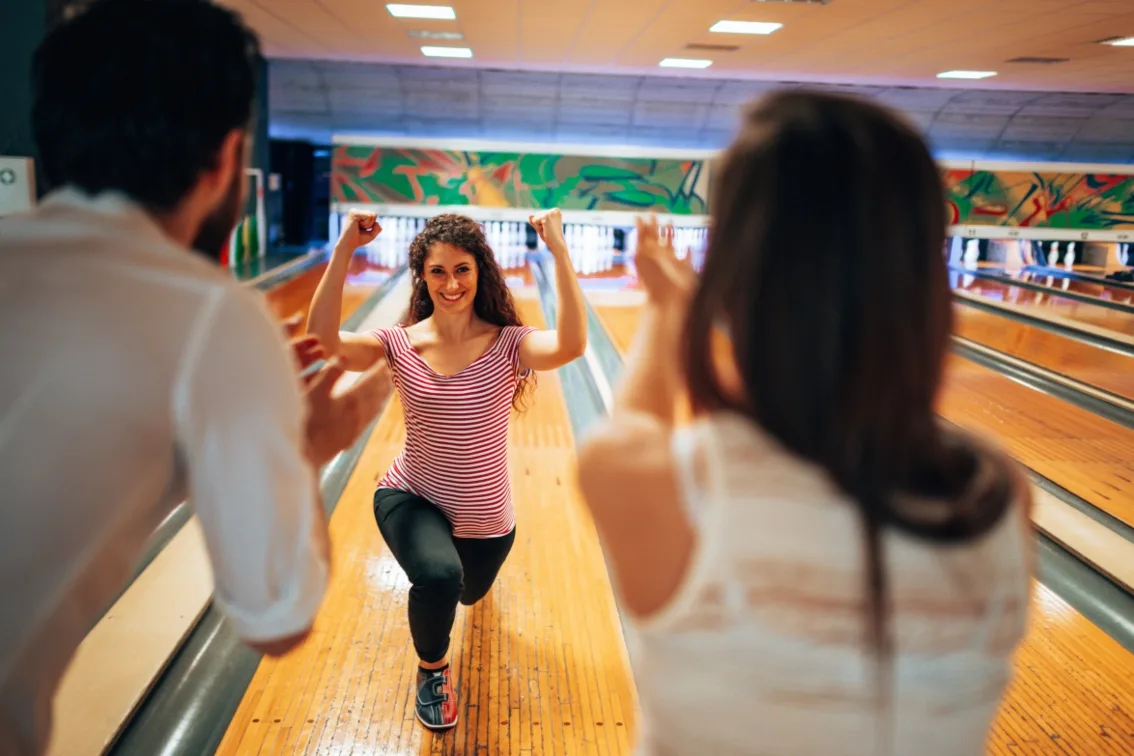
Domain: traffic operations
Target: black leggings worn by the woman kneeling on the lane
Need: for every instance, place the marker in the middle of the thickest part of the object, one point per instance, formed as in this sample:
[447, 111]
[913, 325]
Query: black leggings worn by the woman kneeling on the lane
[443, 570]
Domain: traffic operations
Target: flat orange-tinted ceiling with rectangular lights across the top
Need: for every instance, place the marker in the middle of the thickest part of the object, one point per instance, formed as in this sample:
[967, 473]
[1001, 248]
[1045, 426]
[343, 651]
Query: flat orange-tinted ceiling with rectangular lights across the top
[875, 43]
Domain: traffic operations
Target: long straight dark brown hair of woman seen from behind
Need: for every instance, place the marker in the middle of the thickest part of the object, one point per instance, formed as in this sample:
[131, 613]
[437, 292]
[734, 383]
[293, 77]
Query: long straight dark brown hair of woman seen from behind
[825, 268]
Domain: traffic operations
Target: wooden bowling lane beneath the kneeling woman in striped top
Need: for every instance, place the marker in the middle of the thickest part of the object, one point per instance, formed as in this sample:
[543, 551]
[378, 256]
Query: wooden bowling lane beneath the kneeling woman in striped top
[541, 666]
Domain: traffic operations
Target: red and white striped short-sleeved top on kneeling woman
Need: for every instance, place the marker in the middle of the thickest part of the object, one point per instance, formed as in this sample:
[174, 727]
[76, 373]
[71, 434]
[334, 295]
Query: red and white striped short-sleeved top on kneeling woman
[456, 453]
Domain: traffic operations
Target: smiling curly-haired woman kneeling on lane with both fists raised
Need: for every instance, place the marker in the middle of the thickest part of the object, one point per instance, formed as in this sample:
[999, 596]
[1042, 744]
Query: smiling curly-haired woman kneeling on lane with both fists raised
[462, 361]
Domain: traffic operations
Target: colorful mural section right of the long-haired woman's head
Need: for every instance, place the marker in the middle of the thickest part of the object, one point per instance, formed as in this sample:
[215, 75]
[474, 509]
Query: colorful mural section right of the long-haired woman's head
[1098, 202]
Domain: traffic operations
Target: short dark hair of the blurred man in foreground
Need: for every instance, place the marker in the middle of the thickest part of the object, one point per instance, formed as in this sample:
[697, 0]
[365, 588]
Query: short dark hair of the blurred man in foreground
[138, 96]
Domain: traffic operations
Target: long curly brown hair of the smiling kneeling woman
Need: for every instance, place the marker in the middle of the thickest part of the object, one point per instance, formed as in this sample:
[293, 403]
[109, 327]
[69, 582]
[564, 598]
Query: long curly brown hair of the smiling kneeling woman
[493, 304]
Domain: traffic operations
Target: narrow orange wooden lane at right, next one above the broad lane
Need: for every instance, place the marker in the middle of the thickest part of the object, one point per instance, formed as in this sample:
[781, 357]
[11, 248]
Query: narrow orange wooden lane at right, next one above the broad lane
[1111, 371]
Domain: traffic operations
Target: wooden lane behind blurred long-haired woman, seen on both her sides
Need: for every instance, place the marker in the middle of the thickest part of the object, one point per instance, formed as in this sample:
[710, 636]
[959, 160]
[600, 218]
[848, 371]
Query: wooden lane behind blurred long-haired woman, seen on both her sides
[1072, 692]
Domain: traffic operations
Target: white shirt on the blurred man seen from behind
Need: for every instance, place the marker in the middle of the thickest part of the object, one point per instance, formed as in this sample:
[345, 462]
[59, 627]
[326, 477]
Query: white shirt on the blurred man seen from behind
[136, 375]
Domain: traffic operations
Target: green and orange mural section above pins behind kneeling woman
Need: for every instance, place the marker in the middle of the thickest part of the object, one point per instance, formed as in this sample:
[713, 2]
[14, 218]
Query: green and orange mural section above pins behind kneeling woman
[509, 180]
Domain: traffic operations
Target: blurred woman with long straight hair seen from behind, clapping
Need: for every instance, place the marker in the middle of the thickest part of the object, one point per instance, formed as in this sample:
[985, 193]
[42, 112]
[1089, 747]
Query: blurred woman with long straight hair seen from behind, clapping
[818, 565]
